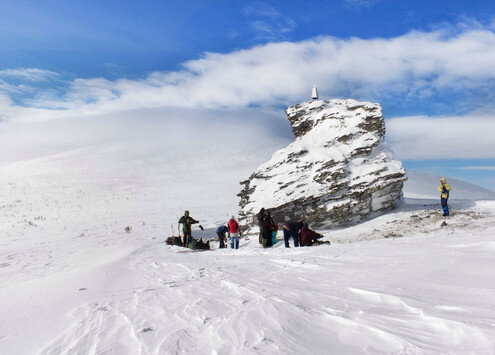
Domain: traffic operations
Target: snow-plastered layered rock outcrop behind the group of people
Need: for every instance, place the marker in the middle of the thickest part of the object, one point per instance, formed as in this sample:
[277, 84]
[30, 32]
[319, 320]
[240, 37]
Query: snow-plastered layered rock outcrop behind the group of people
[337, 171]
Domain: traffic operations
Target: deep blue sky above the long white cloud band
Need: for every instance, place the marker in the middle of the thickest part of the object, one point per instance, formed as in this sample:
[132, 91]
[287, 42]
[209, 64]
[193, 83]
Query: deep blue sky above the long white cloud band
[131, 38]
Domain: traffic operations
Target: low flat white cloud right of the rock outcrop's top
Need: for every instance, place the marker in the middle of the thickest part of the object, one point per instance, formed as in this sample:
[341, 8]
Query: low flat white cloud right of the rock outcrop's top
[459, 137]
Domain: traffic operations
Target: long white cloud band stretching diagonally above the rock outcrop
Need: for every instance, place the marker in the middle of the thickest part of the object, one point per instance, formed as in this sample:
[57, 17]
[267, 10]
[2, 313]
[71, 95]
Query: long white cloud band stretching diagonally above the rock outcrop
[412, 66]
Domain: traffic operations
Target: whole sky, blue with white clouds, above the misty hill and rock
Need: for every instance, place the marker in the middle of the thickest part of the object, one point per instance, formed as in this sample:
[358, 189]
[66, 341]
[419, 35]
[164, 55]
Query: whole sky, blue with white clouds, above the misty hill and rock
[425, 61]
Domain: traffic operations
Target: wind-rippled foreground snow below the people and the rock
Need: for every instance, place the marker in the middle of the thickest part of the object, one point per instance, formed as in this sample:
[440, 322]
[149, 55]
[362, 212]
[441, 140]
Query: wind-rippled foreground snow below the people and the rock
[416, 295]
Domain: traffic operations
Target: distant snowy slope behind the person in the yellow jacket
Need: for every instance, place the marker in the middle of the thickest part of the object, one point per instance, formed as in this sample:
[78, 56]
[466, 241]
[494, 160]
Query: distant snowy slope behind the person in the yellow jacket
[422, 185]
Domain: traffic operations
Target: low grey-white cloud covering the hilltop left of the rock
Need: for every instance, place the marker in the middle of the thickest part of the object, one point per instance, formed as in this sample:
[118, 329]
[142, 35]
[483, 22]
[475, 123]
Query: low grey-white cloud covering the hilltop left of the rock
[177, 134]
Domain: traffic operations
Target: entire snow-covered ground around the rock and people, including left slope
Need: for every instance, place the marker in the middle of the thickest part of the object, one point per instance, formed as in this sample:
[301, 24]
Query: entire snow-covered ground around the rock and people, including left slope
[73, 281]
